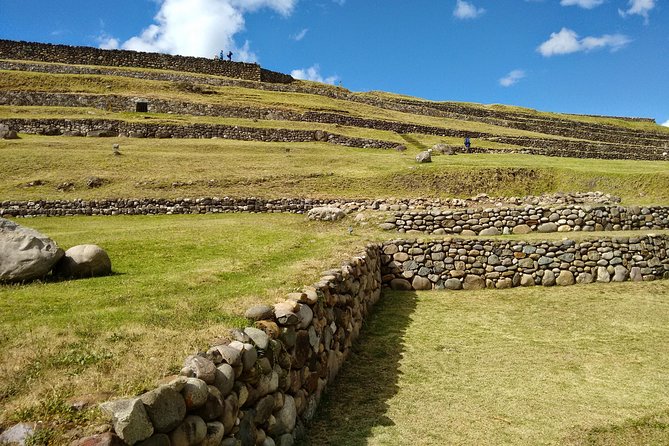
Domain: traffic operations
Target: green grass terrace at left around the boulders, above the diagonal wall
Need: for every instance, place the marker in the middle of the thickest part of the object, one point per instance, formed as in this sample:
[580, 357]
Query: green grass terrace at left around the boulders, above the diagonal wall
[179, 282]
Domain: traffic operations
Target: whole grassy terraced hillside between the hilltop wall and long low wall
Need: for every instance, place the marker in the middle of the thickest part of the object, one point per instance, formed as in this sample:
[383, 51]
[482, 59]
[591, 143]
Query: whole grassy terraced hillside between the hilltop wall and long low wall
[314, 140]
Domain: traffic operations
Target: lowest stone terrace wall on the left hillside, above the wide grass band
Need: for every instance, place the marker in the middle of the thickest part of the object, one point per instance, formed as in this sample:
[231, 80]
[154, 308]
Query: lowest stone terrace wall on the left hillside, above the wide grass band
[113, 128]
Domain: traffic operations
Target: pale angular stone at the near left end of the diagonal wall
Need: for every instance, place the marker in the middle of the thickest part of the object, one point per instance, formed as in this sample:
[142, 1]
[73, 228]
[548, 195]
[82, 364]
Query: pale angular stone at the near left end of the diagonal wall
[130, 420]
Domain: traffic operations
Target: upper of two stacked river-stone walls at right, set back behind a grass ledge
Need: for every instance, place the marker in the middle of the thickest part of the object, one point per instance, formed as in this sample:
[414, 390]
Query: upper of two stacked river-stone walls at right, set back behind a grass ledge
[508, 220]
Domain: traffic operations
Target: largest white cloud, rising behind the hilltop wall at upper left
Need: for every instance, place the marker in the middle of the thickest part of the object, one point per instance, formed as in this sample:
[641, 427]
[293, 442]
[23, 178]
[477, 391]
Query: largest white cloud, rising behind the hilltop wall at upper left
[200, 27]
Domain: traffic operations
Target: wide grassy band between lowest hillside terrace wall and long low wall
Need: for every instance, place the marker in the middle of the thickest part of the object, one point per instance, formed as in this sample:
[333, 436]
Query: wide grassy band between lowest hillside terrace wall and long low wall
[191, 168]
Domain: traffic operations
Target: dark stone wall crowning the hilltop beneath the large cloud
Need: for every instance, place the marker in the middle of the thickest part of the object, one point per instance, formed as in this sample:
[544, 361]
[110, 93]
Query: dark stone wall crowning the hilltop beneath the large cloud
[80, 55]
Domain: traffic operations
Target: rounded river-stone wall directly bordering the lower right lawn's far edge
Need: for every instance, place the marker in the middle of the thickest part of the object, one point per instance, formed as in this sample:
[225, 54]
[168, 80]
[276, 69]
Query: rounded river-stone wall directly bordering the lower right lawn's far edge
[476, 264]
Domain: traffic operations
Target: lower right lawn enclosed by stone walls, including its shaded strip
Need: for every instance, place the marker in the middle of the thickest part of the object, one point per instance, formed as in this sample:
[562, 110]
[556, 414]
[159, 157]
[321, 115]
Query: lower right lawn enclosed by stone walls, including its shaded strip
[583, 365]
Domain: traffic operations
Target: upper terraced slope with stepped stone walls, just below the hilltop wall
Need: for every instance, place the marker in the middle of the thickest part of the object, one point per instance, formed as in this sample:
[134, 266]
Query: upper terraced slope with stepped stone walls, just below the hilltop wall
[116, 90]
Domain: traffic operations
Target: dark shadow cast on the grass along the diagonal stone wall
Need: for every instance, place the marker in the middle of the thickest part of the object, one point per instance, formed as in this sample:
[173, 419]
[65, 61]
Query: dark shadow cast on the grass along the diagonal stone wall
[357, 400]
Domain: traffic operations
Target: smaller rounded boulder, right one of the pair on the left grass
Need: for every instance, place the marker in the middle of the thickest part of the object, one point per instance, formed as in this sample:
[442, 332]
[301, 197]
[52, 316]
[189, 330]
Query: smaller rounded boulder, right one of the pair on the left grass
[84, 261]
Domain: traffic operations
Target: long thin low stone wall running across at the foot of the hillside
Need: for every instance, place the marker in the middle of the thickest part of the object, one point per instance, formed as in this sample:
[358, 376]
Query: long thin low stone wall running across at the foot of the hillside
[210, 205]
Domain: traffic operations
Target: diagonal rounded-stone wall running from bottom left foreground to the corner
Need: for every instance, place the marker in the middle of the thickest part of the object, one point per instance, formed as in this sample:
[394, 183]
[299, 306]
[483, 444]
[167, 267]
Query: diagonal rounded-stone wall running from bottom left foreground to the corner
[262, 386]
